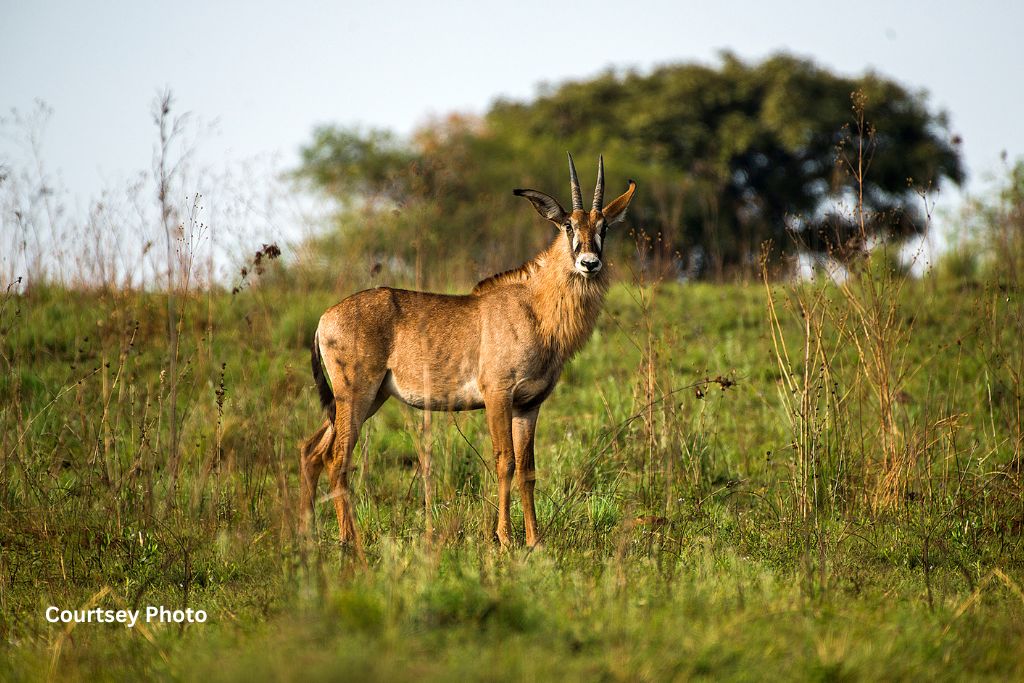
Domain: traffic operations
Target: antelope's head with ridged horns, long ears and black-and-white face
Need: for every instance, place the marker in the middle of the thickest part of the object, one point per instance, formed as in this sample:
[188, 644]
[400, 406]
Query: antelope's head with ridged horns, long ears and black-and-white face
[584, 231]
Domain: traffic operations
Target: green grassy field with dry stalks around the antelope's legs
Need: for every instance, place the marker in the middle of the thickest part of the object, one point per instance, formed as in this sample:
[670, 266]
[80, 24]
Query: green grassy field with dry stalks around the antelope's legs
[674, 543]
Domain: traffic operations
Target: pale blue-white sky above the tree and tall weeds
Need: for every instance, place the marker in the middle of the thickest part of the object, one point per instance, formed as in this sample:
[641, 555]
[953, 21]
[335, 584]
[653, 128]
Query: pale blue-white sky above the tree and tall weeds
[268, 73]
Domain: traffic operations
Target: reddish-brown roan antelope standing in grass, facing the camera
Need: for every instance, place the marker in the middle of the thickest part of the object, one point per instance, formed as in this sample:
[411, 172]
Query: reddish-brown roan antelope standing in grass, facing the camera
[501, 349]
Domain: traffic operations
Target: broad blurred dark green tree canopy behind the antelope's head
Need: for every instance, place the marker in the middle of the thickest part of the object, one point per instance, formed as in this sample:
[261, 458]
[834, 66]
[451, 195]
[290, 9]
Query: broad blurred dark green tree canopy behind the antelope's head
[728, 157]
